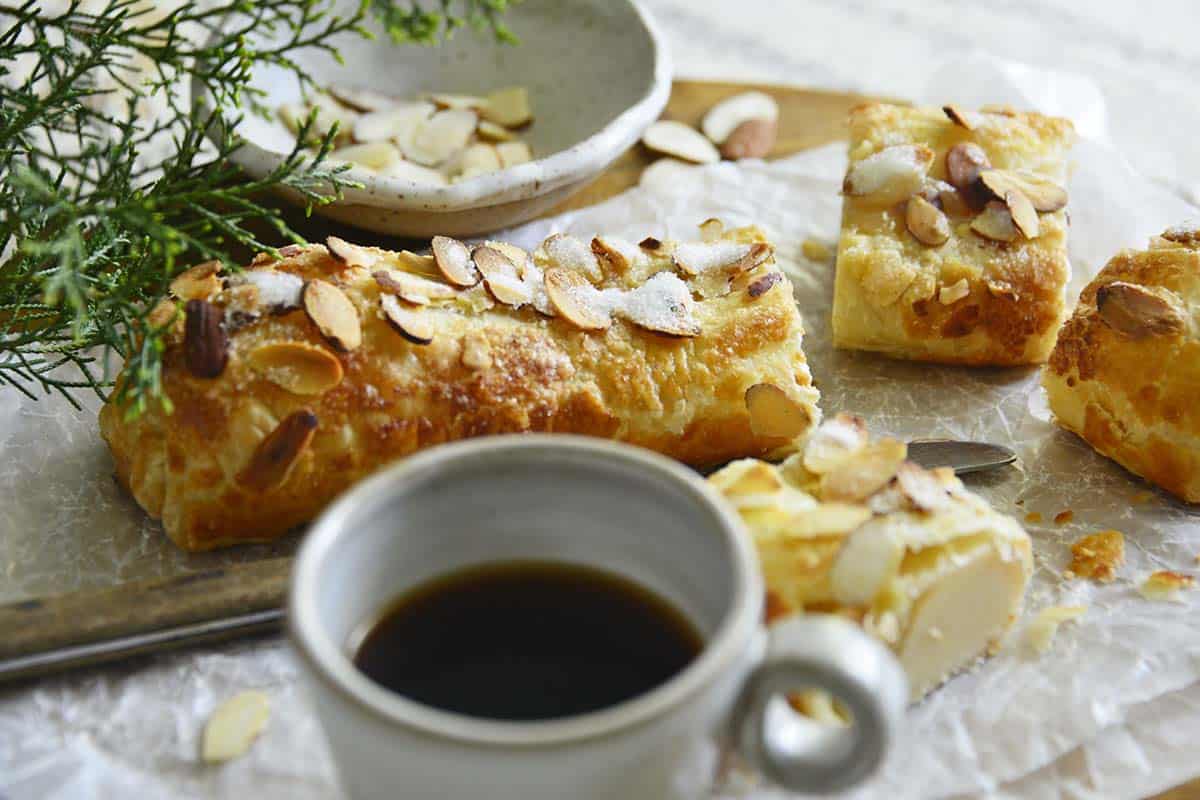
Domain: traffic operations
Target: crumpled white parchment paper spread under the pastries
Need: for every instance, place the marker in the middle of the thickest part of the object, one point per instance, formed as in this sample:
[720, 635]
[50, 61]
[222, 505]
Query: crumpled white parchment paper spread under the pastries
[1108, 712]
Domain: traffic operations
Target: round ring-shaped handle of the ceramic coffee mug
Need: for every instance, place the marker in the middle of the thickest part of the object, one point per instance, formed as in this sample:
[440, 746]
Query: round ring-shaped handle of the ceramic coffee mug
[831, 654]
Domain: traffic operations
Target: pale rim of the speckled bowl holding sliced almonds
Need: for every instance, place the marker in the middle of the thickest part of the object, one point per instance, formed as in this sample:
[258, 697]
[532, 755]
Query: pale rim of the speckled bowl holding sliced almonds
[578, 163]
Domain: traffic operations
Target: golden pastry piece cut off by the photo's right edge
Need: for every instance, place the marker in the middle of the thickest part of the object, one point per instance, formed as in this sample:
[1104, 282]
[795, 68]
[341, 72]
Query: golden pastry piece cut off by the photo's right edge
[1125, 374]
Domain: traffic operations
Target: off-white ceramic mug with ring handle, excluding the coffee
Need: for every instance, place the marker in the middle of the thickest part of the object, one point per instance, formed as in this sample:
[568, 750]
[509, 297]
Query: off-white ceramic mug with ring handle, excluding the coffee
[605, 506]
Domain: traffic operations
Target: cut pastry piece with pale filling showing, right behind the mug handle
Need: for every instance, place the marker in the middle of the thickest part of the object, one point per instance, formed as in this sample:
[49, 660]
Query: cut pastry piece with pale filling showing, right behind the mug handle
[849, 527]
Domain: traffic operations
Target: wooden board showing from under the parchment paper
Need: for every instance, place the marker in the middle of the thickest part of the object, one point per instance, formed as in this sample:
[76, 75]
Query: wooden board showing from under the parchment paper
[44, 635]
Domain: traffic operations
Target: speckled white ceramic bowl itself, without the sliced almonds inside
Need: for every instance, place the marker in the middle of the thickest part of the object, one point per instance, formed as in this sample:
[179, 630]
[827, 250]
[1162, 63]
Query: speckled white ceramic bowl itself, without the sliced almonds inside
[598, 75]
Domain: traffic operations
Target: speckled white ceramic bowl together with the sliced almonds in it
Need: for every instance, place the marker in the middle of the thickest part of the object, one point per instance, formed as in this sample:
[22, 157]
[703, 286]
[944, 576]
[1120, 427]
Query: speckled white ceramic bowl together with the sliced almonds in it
[472, 136]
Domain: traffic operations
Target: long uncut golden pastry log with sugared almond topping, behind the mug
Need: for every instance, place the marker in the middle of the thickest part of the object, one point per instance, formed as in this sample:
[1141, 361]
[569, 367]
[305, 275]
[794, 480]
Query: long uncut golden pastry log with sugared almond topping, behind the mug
[292, 380]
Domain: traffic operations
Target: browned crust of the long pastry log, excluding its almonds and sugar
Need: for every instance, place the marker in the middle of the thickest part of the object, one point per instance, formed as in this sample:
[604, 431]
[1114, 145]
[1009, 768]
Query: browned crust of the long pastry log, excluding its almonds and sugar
[490, 369]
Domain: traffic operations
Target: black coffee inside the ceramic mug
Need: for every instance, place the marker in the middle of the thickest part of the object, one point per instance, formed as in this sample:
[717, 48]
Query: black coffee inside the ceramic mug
[527, 641]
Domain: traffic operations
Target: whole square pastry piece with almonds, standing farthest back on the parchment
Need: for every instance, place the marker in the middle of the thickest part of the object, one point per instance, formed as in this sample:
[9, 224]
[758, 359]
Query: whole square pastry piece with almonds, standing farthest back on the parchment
[955, 236]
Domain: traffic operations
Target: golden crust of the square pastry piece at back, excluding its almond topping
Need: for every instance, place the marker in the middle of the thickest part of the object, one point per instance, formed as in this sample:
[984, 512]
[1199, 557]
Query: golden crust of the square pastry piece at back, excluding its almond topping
[899, 297]
